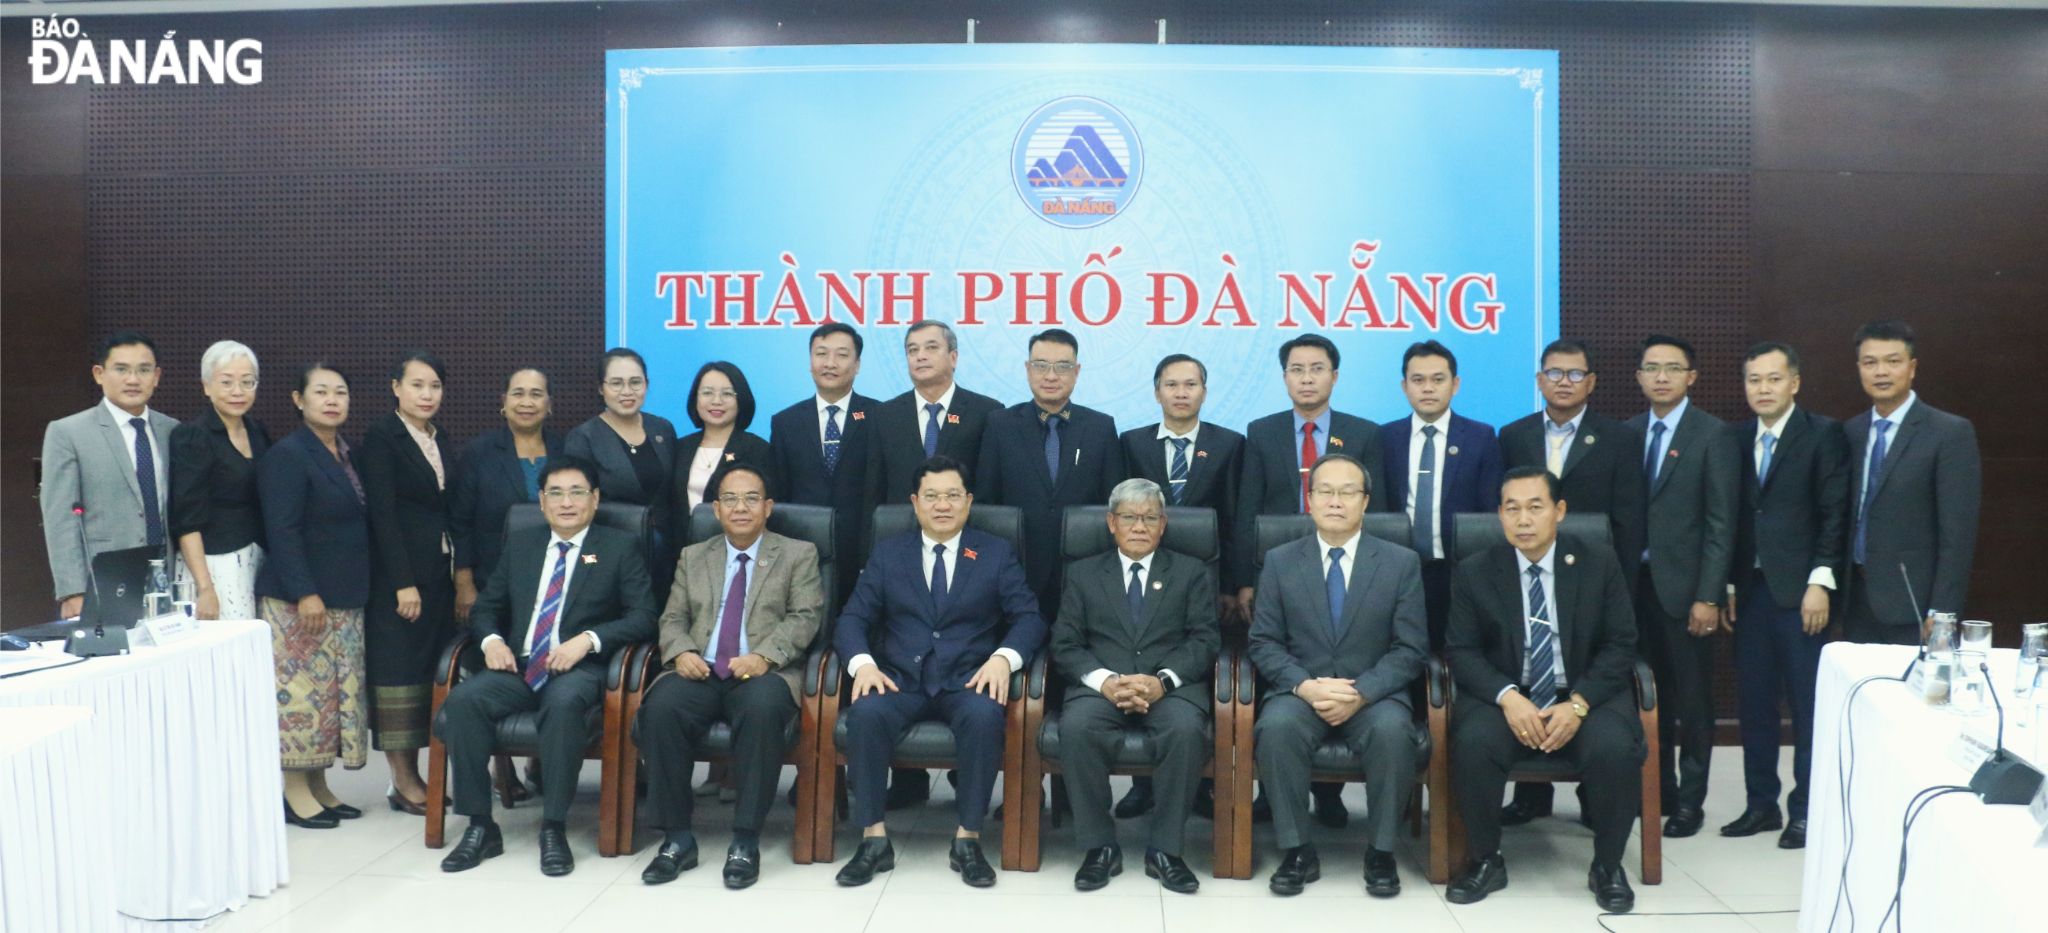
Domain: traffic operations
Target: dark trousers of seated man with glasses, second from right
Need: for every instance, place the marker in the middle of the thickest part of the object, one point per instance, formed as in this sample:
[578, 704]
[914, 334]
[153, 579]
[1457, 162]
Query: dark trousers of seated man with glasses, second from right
[1287, 736]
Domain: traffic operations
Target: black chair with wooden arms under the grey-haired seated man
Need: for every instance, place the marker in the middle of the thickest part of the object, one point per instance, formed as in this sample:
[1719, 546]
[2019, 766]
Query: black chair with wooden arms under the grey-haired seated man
[1086, 533]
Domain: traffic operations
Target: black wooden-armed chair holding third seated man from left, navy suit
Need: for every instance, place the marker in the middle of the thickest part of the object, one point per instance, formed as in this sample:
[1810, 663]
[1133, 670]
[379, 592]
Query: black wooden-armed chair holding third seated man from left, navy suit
[927, 744]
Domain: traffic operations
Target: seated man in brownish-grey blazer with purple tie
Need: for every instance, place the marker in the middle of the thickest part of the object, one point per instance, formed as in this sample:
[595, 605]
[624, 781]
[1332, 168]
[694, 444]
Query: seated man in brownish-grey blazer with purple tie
[744, 605]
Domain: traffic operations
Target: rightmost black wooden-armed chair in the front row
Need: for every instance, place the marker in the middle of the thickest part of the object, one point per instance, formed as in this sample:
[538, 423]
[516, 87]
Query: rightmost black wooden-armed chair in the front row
[1480, 531]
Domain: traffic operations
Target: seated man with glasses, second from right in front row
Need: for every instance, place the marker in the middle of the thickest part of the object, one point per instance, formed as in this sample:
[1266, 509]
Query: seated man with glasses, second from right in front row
[1338, 635]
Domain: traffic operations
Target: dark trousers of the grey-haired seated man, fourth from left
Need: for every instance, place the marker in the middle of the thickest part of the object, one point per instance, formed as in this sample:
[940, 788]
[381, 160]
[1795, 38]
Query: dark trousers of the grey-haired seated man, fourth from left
[1093, 727]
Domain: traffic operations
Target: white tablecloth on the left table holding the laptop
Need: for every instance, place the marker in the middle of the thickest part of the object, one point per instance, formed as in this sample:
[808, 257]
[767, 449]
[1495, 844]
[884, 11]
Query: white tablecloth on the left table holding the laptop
[187, 740]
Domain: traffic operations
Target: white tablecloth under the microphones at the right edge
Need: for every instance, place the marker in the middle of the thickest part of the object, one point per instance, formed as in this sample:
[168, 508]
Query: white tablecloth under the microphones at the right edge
[1971, 867]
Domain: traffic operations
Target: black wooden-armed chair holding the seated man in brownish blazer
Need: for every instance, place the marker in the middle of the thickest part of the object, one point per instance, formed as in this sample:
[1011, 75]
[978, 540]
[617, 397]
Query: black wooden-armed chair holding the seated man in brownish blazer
[806, 523]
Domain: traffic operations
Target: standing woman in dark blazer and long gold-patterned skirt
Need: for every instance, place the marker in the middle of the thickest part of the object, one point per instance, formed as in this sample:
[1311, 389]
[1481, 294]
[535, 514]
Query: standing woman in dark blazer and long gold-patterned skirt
[314, 586]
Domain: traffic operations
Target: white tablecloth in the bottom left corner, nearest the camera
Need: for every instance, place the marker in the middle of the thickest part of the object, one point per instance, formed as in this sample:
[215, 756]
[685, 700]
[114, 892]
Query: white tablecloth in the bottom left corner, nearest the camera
[52, 824]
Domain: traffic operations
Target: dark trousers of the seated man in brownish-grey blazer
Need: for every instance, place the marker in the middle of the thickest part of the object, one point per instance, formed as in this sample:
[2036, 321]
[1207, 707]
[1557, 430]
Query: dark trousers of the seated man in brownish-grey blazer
[671, 729]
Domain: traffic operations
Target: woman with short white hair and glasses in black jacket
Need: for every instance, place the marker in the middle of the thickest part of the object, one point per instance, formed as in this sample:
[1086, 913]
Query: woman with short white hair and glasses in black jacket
[214, 513]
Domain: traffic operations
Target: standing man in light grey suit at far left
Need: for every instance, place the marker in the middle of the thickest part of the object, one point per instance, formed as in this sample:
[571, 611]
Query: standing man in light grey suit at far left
[105, 482]
